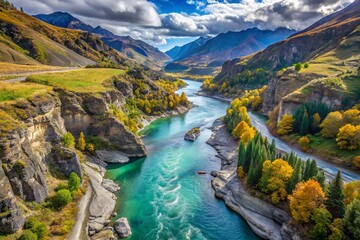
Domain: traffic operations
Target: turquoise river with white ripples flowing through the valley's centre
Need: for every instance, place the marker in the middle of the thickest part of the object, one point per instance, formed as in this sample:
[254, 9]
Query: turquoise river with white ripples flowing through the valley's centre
[162, 195]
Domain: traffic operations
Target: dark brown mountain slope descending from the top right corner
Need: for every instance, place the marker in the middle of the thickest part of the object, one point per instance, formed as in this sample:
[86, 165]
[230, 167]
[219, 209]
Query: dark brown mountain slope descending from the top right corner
[321, 37]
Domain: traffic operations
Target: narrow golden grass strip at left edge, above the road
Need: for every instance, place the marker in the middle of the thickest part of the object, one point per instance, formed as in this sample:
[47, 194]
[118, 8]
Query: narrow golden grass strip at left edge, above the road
[11, 68]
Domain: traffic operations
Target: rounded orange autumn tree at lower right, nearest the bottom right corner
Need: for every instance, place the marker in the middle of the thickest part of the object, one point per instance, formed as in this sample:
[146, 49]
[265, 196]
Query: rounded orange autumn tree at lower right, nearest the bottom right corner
[306, 197]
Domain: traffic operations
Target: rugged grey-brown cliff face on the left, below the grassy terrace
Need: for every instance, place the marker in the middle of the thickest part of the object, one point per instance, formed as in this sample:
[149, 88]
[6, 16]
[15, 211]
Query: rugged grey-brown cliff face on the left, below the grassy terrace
[30, 143]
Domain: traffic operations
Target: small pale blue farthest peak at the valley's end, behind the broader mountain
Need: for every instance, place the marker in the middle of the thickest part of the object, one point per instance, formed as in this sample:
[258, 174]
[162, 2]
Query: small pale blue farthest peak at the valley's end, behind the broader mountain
[178, 53]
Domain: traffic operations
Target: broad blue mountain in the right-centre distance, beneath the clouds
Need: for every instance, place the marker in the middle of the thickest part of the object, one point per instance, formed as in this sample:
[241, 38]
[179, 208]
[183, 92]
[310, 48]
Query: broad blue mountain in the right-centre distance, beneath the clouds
[210, 55]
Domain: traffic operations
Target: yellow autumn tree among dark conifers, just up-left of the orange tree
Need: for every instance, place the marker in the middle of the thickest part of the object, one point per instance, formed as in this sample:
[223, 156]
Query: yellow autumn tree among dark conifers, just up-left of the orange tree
[275, 176]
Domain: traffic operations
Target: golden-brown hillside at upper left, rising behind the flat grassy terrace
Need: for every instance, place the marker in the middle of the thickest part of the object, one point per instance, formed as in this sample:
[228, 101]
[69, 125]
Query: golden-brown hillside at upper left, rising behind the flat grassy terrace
[27, 40]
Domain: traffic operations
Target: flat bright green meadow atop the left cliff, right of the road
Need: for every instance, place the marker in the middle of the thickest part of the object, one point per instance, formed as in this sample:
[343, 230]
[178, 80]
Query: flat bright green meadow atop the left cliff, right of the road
[83, 80]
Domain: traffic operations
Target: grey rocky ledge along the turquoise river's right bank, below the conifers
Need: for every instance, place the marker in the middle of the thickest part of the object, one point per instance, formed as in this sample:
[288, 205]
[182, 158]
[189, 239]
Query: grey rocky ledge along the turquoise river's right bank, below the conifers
[266, 220]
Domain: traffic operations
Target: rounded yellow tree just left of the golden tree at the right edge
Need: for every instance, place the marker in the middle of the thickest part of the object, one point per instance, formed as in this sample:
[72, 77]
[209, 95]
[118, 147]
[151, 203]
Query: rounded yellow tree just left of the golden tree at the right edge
[331, 124]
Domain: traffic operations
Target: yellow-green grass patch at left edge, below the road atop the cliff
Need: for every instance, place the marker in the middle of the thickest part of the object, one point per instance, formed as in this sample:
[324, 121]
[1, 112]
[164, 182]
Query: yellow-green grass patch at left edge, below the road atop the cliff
[15, 91]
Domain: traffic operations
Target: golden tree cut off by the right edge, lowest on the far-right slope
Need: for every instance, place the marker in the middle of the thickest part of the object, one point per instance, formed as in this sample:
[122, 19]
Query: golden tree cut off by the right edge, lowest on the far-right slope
[348, 137]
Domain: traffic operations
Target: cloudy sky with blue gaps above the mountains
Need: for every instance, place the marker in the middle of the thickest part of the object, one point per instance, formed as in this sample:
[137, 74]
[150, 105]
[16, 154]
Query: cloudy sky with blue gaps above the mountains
[166, 23]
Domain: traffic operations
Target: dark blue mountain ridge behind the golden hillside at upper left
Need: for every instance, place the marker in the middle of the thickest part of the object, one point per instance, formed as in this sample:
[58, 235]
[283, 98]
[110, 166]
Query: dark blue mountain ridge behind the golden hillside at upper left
[137, 50]
